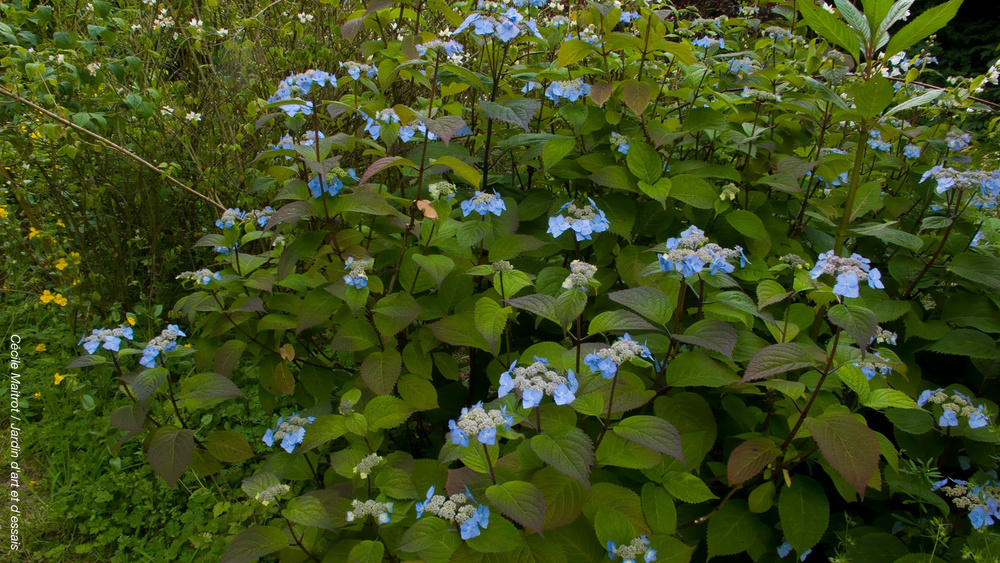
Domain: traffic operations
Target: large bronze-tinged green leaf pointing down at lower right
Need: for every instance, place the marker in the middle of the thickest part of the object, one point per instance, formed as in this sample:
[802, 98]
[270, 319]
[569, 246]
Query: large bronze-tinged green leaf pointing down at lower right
[851, 447]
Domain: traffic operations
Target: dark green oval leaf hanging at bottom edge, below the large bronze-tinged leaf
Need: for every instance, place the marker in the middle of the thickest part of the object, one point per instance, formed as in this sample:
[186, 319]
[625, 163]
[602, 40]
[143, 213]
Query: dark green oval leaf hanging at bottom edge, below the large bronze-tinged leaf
[805, 513]
